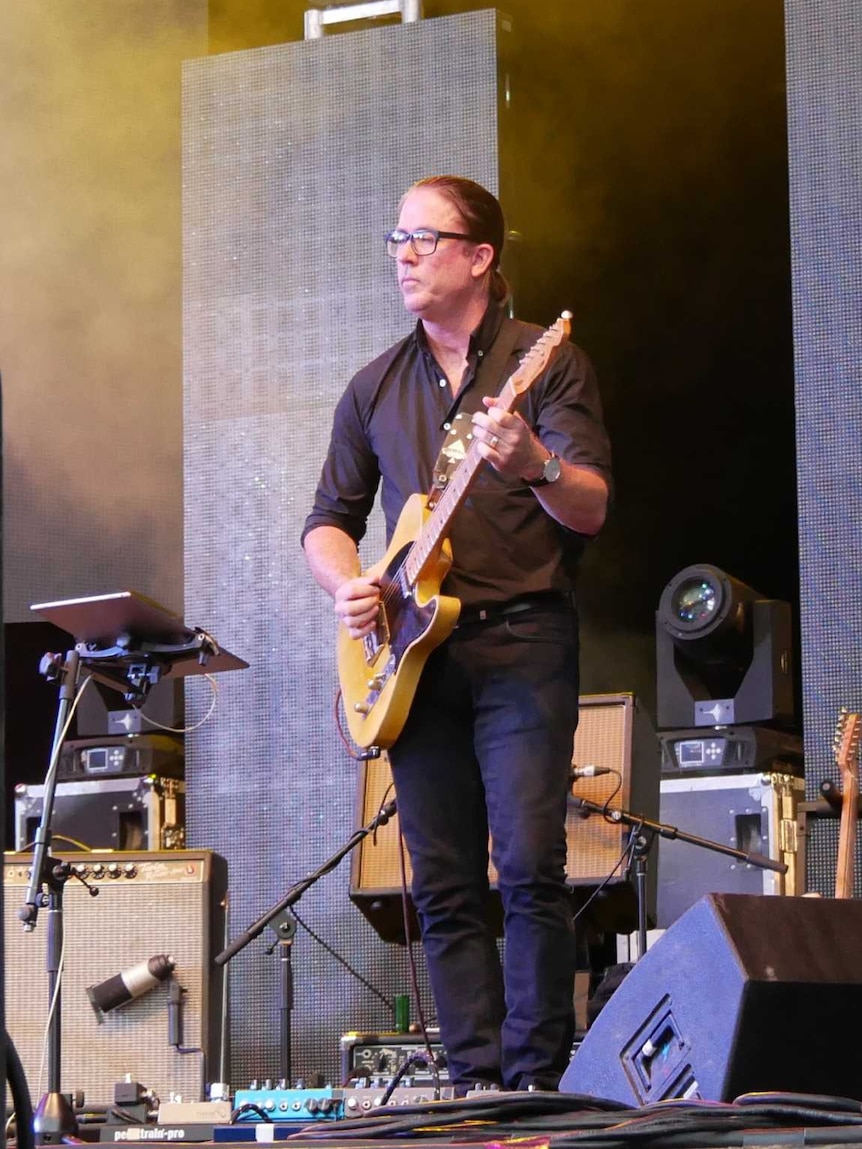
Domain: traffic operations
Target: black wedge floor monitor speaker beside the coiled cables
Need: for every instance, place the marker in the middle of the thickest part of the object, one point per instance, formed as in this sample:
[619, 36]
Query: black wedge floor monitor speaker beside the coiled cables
[743, 993]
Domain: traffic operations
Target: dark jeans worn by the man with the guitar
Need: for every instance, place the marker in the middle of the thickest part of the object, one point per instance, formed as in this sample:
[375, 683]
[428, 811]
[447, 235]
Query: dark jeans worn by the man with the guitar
[488, 749]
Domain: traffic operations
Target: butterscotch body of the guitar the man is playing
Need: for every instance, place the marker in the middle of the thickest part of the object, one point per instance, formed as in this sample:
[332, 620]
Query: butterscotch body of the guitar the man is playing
[379, 675]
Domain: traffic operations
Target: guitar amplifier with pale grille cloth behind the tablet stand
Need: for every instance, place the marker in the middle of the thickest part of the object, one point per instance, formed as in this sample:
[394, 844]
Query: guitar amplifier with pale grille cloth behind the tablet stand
[151, 903]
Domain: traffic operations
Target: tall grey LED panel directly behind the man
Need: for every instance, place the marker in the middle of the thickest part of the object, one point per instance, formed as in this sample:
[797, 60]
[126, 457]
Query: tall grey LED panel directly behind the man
[296, 158]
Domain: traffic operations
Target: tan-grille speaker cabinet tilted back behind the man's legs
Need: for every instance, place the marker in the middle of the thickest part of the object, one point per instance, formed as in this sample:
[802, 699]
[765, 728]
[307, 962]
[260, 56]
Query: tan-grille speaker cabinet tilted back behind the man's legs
[613, 732]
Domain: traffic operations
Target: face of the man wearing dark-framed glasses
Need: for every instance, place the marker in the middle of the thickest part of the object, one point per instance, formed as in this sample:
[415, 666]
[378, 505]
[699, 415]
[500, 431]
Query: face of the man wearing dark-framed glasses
[434, 287]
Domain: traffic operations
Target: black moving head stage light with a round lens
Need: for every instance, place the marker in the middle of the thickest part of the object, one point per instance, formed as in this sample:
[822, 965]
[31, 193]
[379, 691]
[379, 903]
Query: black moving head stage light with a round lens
[724, 653]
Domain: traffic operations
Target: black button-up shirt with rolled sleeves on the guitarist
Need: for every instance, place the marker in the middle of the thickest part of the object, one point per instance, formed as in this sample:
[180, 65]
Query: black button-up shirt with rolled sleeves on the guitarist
[388, 431]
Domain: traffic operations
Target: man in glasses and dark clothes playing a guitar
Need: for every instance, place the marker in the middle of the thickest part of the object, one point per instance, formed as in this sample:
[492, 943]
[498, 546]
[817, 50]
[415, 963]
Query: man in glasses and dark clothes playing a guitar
[483, 747]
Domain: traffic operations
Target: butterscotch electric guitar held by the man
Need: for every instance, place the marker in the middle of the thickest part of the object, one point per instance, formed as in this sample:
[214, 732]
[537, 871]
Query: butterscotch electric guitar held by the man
[379, 674]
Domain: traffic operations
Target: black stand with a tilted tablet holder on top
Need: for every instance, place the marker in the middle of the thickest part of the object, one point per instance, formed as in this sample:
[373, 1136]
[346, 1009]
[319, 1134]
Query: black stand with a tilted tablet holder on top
[129, 643]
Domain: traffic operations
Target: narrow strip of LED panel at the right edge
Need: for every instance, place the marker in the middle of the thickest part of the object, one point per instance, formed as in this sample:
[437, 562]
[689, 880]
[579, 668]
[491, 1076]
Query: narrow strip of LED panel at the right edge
[825, 89]
